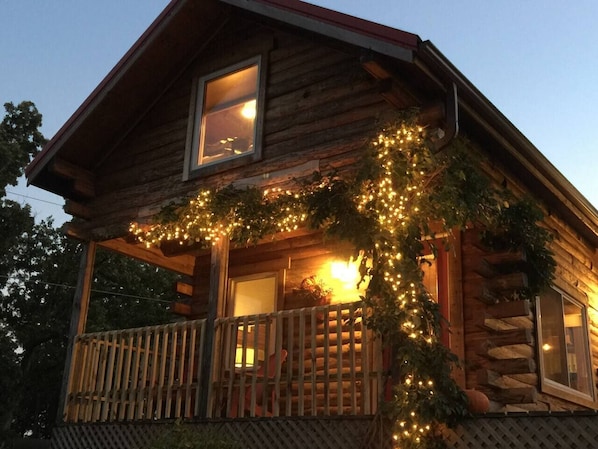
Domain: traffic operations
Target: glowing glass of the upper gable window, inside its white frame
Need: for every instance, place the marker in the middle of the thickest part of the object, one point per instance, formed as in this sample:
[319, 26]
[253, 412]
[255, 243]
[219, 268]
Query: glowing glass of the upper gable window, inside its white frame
[228, 120]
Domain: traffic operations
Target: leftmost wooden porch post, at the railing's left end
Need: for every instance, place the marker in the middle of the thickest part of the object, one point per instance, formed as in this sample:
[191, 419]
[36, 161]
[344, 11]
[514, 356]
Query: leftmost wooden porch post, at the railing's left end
[78, 319]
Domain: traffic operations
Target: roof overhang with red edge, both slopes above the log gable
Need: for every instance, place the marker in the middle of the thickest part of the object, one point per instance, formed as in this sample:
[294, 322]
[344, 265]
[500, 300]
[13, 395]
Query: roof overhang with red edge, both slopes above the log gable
[179, 33]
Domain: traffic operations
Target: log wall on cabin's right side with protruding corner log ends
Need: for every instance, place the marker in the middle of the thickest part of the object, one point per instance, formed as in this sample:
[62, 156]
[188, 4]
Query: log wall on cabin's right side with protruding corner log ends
[501, 339]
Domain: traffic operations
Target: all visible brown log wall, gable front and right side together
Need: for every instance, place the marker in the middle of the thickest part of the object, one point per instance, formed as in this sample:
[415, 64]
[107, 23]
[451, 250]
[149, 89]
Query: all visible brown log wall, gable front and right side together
[320, 107]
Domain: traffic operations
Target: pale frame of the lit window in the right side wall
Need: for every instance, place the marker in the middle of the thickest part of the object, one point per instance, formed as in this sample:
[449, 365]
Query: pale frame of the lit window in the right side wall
[553, 387]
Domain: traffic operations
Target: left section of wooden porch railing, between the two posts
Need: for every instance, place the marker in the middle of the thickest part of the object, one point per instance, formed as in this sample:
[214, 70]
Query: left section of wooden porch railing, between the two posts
[136, 374]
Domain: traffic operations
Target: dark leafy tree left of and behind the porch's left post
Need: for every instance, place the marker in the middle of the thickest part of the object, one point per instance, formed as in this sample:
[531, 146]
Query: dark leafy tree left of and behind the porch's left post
[37, 310]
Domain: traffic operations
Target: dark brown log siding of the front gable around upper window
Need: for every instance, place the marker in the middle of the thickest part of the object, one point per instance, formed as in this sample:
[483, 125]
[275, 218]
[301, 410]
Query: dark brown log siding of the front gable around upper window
[320, 106]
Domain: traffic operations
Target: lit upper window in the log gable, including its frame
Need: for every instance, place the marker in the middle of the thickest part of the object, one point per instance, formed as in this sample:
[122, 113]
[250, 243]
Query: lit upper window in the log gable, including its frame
[226, 115]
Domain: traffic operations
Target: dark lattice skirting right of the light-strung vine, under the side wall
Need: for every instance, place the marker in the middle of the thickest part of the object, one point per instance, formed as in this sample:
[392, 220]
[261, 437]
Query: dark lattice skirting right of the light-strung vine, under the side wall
[554, 431]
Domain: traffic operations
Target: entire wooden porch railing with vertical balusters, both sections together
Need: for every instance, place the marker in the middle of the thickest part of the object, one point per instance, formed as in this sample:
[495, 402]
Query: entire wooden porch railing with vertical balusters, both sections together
[318, 361]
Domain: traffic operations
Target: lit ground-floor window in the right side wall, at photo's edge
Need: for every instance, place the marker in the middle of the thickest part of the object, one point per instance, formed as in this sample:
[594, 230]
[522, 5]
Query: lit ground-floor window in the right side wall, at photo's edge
[564, 346]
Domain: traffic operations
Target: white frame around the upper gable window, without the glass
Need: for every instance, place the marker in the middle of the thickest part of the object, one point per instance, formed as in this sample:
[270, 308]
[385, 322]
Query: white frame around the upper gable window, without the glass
[194, 138]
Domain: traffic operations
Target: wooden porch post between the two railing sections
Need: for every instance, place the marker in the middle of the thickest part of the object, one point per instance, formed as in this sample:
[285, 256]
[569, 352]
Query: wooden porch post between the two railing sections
[216, 306]
